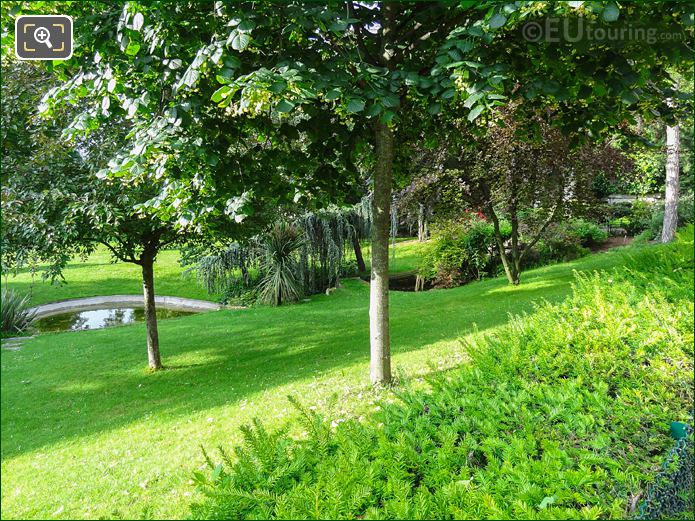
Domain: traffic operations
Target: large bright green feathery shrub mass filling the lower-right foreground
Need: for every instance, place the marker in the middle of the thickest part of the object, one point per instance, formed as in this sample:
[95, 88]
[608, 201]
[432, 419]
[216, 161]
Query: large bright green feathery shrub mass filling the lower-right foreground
[564, 413]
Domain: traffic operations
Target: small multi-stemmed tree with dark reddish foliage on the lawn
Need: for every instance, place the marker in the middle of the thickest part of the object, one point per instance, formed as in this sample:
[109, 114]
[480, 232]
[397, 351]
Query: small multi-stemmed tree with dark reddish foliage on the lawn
[531, 182]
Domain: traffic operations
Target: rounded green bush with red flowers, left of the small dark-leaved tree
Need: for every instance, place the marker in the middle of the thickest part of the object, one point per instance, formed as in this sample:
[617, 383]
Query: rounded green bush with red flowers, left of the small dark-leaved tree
[460, 251]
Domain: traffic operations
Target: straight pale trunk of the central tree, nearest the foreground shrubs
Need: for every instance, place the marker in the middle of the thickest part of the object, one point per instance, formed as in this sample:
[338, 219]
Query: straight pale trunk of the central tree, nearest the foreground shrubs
[380, 342]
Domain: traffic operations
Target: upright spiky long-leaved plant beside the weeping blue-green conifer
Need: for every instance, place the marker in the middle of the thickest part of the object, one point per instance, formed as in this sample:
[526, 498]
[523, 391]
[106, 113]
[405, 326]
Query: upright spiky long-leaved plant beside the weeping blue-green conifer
[279, 283]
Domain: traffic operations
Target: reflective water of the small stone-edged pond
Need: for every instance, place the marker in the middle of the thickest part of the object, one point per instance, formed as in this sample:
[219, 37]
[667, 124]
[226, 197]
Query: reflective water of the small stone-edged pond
[101, 318]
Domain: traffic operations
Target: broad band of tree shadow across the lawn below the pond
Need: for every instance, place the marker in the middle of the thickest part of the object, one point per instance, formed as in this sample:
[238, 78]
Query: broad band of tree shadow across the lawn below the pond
[64, 386]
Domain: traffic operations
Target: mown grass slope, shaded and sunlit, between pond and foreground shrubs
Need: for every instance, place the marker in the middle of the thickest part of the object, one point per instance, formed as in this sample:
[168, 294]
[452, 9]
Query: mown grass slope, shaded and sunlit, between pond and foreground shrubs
[86, 432]
